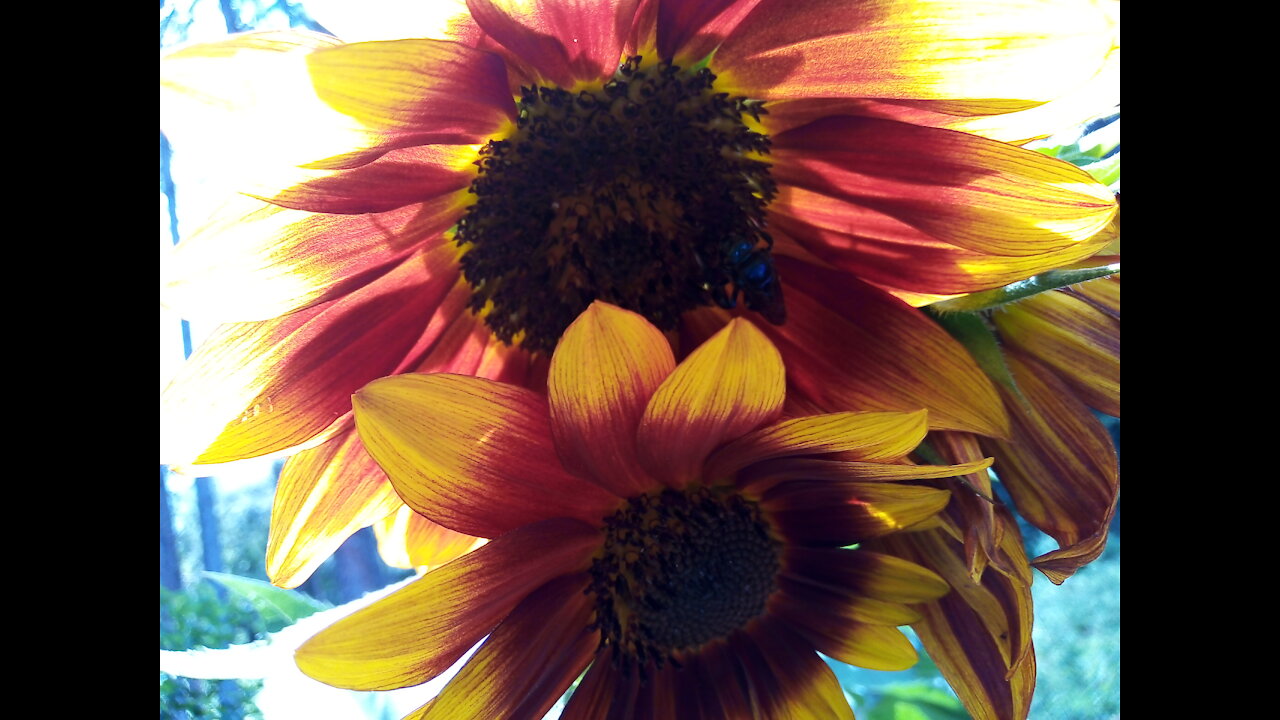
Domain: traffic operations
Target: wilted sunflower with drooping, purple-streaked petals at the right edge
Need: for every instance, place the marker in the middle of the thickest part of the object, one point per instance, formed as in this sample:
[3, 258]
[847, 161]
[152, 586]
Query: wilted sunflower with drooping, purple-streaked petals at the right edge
[1060, 352]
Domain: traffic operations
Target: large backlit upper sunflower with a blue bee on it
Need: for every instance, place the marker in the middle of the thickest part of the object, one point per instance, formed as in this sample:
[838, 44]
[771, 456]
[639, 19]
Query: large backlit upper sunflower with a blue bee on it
[451, 204]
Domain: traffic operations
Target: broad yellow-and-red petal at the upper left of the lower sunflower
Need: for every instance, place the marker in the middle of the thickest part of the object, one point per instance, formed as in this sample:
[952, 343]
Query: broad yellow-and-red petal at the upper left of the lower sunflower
[473, 455]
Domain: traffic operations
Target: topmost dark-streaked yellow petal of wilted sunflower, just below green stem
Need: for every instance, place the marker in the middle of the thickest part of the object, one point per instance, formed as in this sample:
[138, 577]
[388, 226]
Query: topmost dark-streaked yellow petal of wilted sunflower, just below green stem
[1073, 338]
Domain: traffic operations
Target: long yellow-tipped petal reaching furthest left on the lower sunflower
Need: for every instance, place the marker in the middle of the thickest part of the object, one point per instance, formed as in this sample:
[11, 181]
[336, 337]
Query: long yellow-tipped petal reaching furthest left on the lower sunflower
[417, 634]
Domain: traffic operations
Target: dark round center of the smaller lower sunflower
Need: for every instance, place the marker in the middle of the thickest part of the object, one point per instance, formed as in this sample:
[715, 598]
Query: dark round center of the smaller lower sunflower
[680, 569]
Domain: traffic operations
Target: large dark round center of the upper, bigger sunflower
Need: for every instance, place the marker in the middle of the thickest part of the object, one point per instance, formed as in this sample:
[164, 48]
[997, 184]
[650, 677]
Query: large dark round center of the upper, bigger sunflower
[643, 193]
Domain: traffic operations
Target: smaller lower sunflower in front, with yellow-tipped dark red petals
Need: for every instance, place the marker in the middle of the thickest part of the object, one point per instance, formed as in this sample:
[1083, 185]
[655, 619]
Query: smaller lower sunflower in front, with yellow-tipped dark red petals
[661, 527]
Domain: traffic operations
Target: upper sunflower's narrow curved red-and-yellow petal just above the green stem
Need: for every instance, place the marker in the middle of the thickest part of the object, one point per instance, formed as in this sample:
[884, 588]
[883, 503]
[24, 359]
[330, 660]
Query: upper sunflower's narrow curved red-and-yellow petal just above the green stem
[888, 252]
